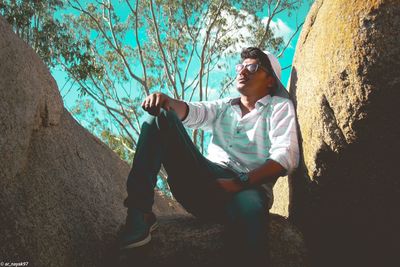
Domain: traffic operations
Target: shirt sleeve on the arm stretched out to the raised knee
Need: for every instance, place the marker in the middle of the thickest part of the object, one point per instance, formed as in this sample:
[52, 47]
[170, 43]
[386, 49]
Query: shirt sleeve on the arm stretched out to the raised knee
[201, 115]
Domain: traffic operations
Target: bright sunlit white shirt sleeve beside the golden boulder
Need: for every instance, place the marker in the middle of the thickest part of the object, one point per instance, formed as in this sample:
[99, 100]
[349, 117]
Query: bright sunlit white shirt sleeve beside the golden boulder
[283, 135]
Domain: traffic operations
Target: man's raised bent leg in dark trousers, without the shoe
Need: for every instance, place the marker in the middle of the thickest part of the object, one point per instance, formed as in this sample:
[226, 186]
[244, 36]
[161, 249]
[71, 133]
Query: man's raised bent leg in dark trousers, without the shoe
[164, 140]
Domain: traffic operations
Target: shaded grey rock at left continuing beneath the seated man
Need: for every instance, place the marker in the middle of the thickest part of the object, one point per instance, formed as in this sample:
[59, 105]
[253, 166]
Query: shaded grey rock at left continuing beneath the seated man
[63, 189]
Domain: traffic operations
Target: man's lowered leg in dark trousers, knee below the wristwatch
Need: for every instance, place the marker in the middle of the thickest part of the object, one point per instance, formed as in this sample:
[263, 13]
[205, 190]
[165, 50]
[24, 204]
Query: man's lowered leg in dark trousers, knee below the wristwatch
[247, 217]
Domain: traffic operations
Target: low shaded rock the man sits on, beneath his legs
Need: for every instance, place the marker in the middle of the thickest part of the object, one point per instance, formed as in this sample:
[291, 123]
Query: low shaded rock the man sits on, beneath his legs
[187, 241]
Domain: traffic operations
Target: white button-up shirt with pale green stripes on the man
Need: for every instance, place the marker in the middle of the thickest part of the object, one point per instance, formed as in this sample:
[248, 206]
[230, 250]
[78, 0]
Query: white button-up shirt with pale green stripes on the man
[245, 143]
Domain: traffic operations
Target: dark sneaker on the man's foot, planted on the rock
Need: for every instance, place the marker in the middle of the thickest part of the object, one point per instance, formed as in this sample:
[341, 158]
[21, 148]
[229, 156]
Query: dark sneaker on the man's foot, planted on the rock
[138, 228]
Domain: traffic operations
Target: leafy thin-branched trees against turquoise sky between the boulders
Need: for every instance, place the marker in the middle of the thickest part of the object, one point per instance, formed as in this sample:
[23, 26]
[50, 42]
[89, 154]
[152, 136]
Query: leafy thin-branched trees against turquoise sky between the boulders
[117, 52]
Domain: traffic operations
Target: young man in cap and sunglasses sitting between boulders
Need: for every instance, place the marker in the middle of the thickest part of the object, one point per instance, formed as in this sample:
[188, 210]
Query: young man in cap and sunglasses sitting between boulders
[254, 141]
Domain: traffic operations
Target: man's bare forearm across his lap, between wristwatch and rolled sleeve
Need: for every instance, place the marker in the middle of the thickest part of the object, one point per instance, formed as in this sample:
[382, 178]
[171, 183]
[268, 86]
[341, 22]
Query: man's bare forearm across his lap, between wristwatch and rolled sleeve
[268, 172]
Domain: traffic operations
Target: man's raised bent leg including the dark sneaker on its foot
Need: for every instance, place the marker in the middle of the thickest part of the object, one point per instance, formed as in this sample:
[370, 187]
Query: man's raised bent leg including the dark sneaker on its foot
[163, 140]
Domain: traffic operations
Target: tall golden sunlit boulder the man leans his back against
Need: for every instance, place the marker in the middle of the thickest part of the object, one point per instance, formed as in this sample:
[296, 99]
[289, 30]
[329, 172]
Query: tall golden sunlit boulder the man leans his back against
[345, 83]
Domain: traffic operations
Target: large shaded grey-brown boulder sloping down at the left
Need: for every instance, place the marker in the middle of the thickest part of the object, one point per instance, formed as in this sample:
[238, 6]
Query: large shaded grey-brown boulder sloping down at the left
[62, 189]
